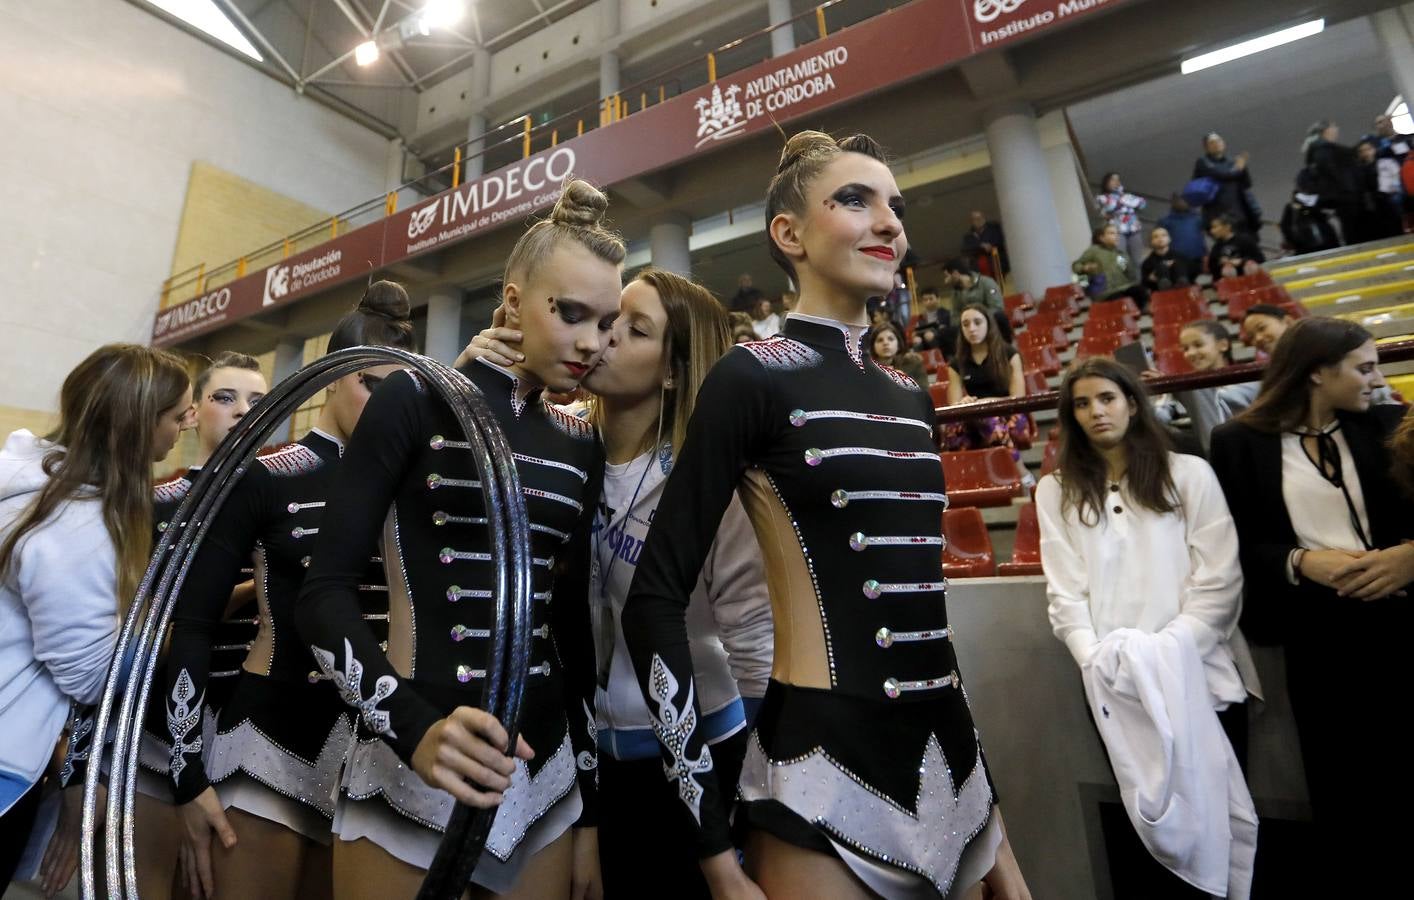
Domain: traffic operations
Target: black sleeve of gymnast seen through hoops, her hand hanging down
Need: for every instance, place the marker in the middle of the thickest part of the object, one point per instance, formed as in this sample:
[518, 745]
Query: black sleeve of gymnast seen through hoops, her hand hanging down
[200, 609]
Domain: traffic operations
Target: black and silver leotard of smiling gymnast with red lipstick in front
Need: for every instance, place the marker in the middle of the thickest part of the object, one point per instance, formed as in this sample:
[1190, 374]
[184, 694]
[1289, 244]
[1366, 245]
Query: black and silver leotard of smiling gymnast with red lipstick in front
[865, 745]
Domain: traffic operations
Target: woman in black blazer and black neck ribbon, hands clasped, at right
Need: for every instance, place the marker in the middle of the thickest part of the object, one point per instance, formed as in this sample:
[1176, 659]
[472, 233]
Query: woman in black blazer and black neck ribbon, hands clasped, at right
[1327, 546]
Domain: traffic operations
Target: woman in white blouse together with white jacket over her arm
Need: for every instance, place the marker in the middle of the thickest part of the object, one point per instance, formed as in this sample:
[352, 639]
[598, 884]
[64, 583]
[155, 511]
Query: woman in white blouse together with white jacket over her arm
[1140, 558]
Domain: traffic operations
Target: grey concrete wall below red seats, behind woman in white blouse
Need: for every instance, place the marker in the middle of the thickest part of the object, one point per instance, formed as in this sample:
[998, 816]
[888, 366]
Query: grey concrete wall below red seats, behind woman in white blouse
[1046, 756]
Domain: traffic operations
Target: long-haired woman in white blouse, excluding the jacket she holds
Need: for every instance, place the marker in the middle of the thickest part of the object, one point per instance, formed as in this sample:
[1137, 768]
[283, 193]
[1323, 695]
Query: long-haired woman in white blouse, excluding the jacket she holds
[1138, 537]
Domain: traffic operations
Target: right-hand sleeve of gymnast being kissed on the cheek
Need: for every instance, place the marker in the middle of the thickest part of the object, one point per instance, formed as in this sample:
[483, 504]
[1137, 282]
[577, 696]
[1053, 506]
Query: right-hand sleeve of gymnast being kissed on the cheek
[575, 647]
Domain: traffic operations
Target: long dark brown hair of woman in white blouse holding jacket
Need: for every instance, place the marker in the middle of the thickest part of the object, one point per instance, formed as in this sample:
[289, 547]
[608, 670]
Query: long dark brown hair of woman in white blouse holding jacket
[1082, 471]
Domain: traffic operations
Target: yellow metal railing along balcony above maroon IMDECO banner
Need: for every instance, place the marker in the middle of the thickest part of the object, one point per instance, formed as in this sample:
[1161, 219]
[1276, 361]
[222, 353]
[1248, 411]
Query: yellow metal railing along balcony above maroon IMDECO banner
[520, 137]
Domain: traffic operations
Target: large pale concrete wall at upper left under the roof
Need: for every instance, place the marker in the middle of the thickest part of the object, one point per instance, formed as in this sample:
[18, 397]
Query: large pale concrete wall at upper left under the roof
[105, 110]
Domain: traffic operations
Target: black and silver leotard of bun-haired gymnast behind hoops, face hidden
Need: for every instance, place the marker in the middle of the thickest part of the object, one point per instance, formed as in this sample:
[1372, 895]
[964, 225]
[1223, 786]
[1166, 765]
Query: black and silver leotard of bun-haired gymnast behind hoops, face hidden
[284, 728]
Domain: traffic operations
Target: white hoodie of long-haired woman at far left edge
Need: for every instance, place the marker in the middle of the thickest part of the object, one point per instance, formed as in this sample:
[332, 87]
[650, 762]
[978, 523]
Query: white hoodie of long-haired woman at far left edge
[59, 612]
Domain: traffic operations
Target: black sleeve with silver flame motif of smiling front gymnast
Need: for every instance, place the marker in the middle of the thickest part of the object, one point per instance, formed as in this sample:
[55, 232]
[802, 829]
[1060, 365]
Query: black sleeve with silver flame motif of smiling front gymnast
[732, 422]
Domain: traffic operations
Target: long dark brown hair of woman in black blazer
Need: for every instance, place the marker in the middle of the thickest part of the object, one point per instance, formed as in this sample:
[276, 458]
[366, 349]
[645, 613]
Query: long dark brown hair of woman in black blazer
[1307, 346]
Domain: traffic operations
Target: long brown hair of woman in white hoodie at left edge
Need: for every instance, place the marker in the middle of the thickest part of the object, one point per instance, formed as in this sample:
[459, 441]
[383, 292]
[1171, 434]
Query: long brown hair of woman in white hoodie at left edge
[108, 410]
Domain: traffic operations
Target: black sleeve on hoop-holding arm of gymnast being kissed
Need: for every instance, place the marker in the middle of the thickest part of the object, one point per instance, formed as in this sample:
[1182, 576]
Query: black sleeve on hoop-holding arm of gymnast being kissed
[329, 615]
